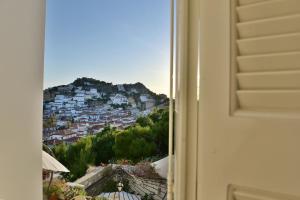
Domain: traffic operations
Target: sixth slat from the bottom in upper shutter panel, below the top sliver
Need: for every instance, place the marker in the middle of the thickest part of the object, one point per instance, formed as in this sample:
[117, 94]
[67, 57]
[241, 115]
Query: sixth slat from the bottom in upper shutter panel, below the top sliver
[268, 9]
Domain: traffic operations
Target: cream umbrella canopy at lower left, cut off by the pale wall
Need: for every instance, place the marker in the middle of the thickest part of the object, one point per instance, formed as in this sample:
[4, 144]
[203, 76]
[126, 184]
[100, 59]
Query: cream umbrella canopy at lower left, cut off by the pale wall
[51, 164]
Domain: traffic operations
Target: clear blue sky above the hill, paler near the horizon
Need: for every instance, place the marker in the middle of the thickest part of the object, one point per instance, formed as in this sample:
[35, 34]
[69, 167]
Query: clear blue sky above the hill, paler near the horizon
[118, 41]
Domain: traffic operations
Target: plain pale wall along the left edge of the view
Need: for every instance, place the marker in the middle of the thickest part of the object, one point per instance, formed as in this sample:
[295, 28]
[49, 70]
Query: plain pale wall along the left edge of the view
[21, 80]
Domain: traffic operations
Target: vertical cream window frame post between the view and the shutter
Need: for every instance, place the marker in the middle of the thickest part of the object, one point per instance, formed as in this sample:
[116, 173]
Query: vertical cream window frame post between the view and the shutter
[186, 99]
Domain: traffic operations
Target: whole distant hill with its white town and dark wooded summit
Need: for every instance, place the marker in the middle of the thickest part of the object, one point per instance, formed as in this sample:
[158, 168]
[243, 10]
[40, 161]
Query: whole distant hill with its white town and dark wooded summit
[87, 106]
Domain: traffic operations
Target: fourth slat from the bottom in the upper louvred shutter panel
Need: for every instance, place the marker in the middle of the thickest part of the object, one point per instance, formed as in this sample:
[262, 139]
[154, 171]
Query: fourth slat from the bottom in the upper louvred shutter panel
[269, 44]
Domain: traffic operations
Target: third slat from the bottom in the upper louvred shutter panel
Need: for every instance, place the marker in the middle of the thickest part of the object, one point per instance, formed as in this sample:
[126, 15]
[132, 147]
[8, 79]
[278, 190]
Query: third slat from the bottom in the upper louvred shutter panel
[269, 62]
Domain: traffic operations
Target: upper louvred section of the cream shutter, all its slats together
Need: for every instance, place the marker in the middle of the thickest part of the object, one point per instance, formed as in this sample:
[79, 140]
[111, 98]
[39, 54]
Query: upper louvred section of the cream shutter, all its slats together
[266, 57]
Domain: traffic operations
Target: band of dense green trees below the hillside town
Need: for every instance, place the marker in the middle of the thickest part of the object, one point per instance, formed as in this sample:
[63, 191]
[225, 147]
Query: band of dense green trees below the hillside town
[147, 139]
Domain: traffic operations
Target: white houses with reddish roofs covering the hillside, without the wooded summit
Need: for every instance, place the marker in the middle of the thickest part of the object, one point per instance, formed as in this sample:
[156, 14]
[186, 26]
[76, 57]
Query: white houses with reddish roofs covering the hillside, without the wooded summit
[67, 118]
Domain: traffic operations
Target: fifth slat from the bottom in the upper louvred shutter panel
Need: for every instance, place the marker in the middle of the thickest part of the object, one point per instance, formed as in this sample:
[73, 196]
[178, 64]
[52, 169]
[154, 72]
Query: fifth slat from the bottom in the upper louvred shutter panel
[273, 26]
